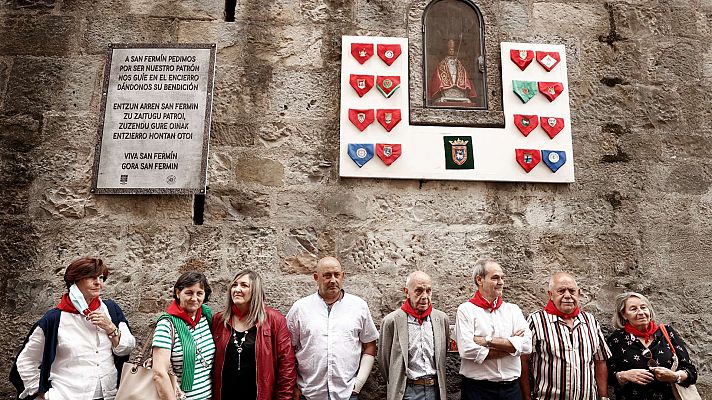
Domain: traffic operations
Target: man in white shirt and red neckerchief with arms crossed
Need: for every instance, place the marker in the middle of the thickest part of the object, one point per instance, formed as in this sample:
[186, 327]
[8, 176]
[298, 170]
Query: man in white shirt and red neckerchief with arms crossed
[491, 335]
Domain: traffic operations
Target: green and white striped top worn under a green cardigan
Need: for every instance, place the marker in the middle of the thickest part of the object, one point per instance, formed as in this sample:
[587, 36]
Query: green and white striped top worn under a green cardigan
[202, 384]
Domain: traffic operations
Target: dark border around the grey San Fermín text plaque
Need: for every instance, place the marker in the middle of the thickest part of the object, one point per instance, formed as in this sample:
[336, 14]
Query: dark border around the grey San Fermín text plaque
[206, 129]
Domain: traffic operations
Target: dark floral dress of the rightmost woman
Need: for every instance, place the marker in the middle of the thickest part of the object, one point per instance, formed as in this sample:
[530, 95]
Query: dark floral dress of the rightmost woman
[627, 353]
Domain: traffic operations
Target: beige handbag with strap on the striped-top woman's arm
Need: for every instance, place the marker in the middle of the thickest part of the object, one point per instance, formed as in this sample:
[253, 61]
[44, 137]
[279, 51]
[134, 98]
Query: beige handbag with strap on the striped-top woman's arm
[137, 376]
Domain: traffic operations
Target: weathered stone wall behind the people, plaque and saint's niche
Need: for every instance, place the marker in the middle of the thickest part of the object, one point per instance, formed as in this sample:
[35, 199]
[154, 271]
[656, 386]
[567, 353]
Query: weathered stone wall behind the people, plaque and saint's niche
[638, 216]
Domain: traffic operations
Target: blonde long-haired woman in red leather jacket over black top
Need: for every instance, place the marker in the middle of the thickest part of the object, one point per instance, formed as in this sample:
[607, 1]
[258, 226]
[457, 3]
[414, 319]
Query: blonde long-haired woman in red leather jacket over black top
[253, 347]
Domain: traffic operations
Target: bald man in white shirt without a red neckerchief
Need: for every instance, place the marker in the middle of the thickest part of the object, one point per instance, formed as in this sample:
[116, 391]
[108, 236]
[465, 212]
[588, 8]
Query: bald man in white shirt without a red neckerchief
[333, 336]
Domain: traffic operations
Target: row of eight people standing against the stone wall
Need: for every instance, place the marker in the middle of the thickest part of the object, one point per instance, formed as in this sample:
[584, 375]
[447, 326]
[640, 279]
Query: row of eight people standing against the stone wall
[326, 346]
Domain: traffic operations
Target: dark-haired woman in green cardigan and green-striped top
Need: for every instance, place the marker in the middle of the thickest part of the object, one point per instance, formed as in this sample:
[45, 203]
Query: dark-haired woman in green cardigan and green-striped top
[183, 344]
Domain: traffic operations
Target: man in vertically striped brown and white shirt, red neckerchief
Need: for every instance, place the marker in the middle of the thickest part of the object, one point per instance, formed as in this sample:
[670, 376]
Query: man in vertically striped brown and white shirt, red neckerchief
[570, 352]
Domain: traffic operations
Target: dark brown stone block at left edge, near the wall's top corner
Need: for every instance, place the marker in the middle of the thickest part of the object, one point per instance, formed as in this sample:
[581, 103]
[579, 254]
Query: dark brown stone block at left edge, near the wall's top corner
[39, 35]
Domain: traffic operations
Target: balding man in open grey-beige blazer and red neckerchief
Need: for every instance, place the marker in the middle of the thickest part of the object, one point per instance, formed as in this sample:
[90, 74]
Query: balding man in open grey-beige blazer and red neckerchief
[413, 345]
